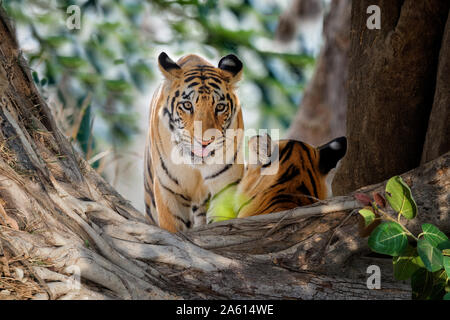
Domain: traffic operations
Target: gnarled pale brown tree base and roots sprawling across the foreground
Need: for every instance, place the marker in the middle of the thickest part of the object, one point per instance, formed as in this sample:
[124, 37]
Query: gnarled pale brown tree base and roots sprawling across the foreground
[58, 216]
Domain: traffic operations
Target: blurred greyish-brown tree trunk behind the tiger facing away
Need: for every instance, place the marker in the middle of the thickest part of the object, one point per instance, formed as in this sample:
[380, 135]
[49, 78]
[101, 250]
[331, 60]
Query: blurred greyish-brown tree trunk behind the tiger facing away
[322, 112]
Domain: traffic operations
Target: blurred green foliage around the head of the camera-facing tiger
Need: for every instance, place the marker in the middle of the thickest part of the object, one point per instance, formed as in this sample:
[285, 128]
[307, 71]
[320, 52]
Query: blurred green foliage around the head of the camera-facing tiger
[97, 72]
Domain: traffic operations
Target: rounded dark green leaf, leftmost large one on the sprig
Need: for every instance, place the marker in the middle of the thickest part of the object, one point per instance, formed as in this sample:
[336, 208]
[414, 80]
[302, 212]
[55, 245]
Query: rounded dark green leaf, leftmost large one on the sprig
[388, 238]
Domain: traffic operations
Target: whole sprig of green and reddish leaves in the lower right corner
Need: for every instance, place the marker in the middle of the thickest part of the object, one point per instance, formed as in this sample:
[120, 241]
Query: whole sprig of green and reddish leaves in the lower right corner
[427, 263]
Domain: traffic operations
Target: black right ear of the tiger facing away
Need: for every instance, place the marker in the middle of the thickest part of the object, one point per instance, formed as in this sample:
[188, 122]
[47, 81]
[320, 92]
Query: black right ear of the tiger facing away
[330, 153]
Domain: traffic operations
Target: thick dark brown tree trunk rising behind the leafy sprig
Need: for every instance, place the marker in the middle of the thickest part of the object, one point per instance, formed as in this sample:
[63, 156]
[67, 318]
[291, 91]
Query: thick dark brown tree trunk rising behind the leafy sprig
[392, 78]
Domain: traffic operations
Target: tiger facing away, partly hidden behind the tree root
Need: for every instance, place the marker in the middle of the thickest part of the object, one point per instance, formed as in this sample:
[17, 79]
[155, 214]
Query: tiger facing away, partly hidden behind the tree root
[286, 174]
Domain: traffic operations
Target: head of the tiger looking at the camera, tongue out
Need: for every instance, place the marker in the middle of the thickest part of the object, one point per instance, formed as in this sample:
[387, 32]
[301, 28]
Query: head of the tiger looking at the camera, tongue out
[202, 112]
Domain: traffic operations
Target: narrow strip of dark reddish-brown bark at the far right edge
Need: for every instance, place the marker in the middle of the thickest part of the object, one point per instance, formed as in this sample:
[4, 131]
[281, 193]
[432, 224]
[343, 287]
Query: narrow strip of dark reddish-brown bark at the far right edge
[437, 140]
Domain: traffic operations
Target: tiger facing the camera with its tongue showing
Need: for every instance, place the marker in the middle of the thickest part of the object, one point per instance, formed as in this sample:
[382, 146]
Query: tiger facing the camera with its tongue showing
[194, 144]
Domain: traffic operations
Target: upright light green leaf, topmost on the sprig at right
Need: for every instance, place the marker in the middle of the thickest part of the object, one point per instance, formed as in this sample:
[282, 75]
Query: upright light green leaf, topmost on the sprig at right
[399, 196]
